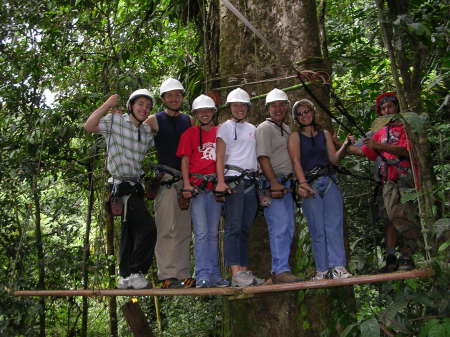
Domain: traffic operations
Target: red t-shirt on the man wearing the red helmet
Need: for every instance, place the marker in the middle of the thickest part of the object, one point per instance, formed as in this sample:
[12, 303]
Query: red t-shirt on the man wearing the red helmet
[393, 135]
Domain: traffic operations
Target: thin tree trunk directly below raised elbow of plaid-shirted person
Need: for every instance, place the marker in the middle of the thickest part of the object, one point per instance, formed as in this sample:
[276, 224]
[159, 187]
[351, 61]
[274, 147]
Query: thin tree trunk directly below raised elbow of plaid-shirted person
[86, 246]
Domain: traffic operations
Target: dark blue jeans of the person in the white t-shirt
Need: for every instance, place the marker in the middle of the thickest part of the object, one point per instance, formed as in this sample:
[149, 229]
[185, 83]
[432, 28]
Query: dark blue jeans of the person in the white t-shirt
[239, 212]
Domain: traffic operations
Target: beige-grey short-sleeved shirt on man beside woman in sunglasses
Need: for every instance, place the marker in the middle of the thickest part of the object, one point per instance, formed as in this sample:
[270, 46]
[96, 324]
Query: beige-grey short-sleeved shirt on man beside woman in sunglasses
[271, 141]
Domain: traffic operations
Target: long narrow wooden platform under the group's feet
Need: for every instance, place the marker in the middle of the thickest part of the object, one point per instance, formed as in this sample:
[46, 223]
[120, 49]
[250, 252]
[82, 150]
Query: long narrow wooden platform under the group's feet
[231, 291]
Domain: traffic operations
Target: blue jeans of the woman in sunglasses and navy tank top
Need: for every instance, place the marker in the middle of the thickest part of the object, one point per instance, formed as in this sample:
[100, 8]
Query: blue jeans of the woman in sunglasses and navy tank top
[324, 214]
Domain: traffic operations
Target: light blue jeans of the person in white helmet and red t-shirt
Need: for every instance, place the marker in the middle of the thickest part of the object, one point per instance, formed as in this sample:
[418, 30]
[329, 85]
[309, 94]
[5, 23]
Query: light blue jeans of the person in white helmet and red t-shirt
[206, 211]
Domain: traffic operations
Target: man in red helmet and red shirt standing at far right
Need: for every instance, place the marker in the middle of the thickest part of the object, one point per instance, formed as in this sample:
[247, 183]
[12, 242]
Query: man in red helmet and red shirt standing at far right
[389, 146]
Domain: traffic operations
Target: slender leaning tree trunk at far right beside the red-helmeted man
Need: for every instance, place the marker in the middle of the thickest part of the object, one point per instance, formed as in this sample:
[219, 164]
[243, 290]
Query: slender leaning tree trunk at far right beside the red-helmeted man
[408, 61]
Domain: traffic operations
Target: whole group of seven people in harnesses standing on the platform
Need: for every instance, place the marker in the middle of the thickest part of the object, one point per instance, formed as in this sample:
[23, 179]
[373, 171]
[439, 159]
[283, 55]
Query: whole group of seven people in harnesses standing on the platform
[227, 170]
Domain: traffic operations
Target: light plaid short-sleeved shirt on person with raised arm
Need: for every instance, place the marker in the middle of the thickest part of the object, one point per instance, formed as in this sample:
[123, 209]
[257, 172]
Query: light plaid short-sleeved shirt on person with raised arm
[125, 152]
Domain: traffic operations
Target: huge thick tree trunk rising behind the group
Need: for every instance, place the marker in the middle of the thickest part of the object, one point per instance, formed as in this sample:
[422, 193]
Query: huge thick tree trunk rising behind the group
[292, 29]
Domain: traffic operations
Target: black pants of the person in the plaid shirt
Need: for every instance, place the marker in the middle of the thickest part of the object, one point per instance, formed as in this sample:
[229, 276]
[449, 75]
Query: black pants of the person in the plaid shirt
[138, 238]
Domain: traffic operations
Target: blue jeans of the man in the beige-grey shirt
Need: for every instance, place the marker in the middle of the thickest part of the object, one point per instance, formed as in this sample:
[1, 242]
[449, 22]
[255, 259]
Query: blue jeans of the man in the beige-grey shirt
[281, 224]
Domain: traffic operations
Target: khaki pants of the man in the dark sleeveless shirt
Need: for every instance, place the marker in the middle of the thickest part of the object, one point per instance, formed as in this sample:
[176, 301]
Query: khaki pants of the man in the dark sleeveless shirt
[173, 235]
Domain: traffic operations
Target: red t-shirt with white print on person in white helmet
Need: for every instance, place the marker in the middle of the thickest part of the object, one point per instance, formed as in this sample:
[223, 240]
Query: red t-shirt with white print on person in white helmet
[201, 160]
